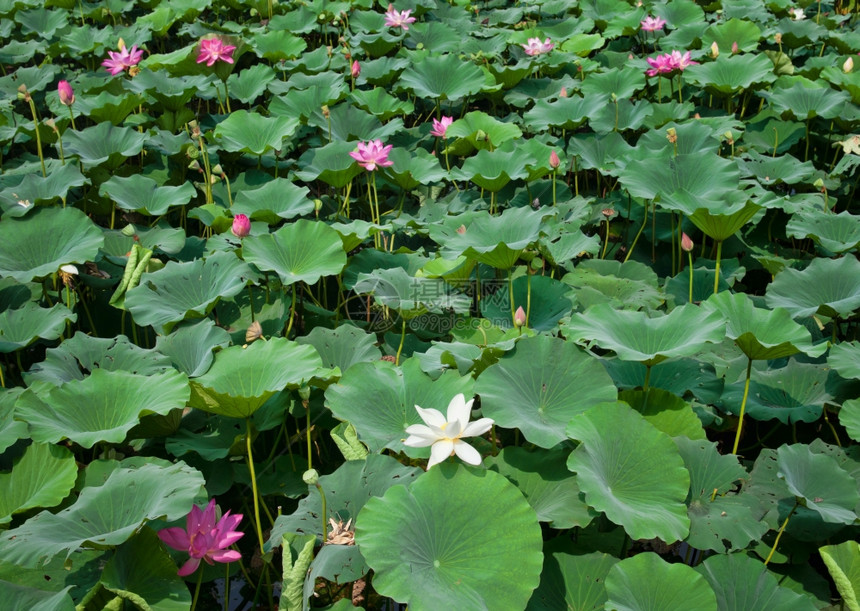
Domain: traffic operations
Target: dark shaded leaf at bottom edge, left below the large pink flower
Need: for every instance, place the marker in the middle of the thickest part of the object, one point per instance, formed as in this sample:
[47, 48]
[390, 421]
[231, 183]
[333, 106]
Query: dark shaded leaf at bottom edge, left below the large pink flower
[142, 571]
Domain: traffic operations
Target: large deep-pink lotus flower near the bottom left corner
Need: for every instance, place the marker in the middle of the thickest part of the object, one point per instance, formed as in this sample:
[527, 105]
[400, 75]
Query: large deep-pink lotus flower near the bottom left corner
[203, 538]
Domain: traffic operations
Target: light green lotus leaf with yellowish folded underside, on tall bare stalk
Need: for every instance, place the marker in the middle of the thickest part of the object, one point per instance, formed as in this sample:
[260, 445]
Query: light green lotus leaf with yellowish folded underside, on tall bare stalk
[242, 379]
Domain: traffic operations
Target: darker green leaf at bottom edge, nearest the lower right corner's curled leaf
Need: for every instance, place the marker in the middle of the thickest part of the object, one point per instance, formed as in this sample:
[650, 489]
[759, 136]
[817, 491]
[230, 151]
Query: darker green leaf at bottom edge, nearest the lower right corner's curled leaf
[742, 582]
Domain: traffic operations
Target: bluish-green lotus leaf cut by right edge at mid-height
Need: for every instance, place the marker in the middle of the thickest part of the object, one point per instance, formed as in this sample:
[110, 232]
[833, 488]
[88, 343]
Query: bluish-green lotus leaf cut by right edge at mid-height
[830, 287]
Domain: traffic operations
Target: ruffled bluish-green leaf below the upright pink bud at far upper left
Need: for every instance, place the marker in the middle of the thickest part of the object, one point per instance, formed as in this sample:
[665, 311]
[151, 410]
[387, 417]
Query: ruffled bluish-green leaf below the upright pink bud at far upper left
[103, 143]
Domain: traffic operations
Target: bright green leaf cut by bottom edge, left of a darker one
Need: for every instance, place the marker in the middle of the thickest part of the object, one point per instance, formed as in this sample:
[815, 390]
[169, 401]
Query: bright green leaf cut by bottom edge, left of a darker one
[646, 582]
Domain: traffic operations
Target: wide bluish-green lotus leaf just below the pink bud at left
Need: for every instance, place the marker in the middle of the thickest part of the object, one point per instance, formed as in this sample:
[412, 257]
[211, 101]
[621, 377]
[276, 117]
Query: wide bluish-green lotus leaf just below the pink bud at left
[186, 290]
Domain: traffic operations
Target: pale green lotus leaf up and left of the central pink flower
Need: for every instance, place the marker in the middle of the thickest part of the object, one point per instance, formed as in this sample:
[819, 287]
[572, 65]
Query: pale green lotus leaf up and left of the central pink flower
[252, 133]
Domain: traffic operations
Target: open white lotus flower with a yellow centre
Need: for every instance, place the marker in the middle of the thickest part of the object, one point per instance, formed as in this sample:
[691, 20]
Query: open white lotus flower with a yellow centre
[446, 435]
